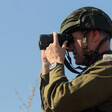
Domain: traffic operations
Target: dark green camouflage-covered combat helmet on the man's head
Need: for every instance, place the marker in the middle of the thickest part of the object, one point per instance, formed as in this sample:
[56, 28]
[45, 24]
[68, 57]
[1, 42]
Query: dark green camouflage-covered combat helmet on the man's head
[87, 18]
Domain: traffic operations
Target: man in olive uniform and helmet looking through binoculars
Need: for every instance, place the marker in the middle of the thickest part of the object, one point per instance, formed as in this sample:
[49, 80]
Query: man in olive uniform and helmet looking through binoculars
[91, 91]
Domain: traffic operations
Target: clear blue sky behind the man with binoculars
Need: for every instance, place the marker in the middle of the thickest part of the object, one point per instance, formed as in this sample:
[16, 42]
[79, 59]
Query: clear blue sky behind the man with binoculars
[21, 23]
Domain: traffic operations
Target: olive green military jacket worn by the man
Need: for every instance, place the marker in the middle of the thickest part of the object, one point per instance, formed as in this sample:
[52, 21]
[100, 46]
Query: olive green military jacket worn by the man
[89, 92]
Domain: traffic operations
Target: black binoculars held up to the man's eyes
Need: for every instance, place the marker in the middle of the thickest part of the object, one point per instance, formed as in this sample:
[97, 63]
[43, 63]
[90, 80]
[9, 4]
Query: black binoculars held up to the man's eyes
[46, 39]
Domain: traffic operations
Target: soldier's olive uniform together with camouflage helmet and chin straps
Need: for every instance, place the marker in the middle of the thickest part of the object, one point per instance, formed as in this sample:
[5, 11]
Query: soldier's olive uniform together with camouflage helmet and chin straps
[91, 91]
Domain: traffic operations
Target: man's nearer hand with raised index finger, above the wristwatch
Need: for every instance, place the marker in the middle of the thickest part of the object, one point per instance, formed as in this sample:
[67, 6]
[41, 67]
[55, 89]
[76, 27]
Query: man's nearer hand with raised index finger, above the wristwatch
[54, 52]
